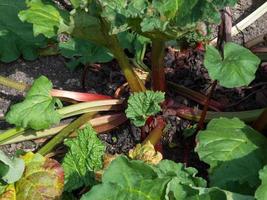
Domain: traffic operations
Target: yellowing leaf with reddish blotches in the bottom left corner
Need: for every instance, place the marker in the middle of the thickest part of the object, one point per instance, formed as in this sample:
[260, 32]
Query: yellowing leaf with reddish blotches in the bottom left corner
[43, 178]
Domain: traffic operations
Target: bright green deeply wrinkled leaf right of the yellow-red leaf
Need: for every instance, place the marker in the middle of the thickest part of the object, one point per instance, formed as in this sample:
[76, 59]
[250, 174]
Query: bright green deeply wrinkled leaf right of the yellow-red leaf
[83, 159]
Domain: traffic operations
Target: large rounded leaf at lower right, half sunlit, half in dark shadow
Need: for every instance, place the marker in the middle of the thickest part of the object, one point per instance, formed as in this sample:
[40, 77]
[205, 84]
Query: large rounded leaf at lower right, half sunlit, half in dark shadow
[231, 147]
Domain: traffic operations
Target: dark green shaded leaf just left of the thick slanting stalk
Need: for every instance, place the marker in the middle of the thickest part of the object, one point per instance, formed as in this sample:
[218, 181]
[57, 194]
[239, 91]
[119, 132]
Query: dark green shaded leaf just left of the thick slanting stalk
[84, 52]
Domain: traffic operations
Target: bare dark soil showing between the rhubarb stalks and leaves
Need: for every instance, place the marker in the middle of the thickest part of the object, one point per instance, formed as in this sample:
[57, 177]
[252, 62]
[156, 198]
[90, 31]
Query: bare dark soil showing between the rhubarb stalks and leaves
[188, 71]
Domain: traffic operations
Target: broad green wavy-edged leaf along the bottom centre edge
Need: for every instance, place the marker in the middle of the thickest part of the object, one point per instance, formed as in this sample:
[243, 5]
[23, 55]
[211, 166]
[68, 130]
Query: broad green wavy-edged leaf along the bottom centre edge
[133, 179]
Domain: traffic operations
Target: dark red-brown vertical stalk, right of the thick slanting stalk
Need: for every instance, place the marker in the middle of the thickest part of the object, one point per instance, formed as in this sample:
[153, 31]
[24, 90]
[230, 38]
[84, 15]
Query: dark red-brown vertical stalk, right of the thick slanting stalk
[158, 73]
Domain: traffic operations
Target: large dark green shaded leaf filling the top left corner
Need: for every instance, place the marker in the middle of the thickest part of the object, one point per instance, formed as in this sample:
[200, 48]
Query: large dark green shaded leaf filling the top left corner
[16, 37]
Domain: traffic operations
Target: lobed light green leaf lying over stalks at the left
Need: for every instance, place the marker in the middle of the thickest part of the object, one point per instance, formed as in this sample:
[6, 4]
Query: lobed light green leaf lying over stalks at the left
[37, 111]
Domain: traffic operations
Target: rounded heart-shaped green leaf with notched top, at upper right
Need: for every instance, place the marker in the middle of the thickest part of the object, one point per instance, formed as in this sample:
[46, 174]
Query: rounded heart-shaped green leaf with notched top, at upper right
[236, 69]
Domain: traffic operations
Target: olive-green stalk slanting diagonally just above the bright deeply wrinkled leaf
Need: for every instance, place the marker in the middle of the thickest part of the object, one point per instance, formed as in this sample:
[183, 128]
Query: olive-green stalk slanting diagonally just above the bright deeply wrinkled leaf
[64, 133]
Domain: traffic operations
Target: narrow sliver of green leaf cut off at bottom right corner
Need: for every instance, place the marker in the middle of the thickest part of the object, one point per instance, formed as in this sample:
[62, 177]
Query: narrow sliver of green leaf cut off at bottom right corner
[261, 192]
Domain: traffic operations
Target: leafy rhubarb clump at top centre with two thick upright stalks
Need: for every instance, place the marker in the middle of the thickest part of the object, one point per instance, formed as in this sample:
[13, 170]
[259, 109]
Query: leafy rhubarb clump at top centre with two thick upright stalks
[101, 22]
